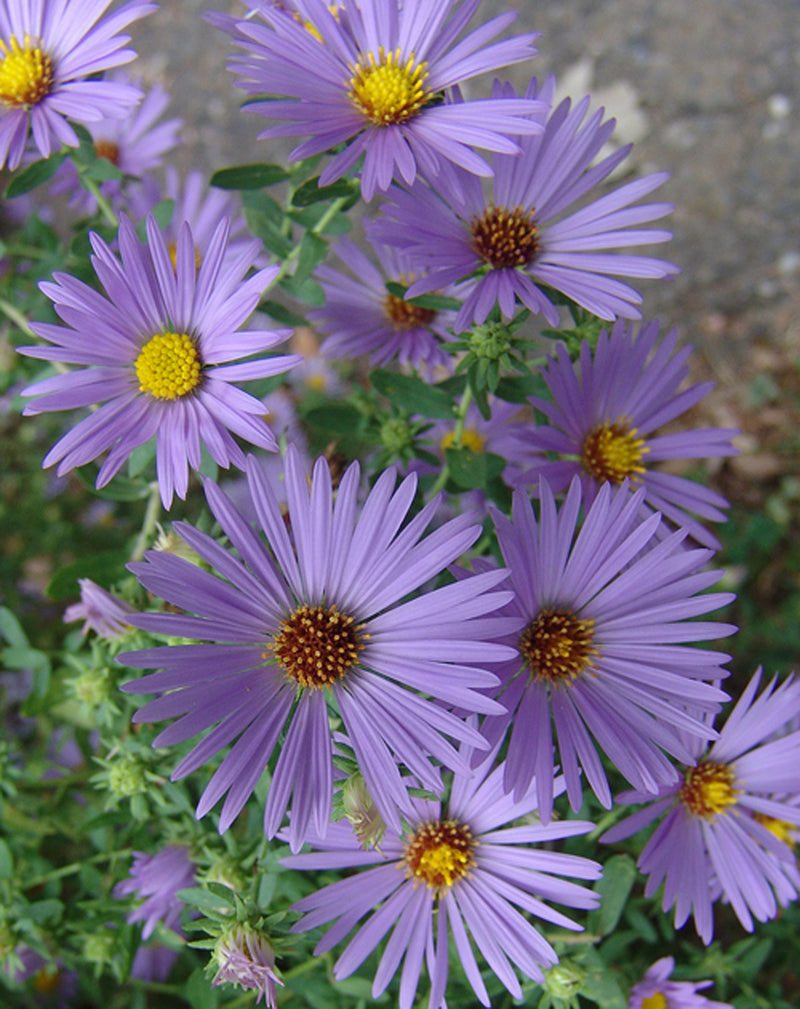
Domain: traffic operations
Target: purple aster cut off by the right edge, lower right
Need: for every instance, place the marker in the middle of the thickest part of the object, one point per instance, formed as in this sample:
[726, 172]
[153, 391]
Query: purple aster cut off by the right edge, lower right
[722, 836]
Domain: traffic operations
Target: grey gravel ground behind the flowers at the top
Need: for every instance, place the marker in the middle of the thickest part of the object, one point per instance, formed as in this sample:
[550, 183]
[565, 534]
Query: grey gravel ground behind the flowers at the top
[710, 90]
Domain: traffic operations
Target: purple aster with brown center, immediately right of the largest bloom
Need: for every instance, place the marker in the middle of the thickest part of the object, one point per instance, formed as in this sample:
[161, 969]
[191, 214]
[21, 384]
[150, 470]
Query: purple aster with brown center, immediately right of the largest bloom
[607, 647]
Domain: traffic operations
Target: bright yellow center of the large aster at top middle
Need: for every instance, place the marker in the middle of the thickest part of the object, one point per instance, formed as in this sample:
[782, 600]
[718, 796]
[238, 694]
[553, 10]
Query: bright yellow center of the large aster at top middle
[387, 90]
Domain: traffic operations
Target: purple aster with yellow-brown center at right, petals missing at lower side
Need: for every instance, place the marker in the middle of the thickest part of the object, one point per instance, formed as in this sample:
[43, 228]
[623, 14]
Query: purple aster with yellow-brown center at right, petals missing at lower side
[604, 423]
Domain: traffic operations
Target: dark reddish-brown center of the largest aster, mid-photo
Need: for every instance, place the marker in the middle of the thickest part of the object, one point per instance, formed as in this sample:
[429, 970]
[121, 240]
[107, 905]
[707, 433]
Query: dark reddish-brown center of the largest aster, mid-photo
[317, 646]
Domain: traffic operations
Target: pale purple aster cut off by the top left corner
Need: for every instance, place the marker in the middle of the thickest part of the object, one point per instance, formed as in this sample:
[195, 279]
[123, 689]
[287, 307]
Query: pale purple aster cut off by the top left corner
[50, 52]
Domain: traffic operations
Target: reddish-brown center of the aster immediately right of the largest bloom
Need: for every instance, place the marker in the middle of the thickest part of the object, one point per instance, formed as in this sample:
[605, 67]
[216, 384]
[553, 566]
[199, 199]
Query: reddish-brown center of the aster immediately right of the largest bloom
[558, 646]
